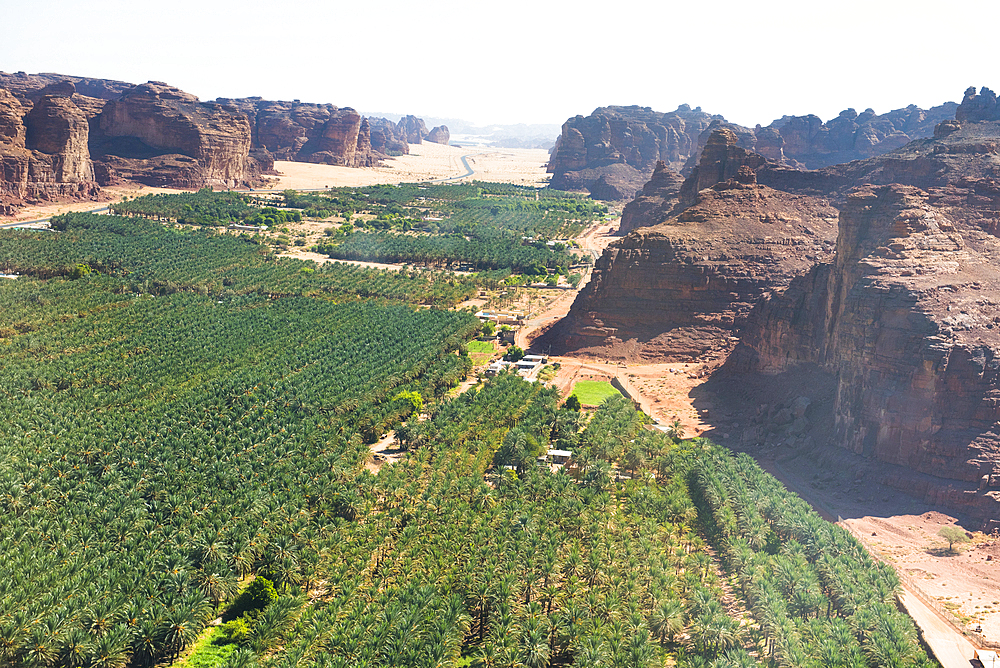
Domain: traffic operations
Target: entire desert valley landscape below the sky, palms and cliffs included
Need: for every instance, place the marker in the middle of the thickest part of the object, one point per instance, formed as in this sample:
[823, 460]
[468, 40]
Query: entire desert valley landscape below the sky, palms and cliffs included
[288, 385]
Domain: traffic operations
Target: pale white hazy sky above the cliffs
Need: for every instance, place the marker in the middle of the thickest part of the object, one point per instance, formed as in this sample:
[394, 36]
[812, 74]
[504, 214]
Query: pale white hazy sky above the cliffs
[535, 61]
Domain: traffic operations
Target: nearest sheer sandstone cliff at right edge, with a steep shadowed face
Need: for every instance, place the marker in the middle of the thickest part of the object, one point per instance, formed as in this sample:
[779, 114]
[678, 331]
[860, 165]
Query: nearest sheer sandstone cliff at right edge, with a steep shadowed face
[903, 325]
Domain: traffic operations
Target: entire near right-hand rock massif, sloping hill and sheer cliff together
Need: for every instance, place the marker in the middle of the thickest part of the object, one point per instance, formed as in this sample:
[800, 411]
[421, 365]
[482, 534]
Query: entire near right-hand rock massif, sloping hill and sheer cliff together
[885, 343]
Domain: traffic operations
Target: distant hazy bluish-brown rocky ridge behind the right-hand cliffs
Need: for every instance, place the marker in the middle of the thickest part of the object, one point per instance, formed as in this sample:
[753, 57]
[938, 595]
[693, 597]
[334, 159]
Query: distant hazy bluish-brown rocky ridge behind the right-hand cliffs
[613, 152]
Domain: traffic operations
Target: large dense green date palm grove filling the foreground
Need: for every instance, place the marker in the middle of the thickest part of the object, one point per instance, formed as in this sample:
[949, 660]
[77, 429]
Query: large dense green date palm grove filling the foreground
[193, 416]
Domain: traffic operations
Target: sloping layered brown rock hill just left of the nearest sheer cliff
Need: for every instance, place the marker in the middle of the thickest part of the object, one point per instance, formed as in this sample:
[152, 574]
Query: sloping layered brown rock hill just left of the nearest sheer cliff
[682, 289]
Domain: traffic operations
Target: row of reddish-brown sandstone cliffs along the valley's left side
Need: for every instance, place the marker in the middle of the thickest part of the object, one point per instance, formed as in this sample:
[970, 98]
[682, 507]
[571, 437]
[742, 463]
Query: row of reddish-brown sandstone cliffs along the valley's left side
[64, 136]
